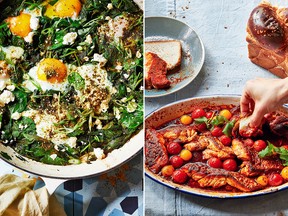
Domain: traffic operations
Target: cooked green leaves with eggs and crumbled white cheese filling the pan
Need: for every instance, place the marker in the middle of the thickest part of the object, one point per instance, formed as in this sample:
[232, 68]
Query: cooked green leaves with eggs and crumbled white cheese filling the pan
[71, 78]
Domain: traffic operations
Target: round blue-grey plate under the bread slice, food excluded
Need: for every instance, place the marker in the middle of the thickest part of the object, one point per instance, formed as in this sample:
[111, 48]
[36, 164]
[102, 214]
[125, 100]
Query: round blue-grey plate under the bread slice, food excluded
[164, 28]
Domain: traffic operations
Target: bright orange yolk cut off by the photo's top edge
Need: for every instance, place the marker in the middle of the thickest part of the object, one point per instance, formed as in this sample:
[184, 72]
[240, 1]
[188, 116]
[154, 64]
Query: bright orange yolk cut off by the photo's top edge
[64, 8]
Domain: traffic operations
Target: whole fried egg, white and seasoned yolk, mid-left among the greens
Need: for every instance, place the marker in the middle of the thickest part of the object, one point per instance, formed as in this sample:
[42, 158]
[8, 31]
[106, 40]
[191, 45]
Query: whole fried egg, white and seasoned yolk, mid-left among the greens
[49, 73]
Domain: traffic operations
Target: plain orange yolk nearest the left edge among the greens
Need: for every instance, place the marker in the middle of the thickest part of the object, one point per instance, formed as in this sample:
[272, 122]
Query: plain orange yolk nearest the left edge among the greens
[20, 25]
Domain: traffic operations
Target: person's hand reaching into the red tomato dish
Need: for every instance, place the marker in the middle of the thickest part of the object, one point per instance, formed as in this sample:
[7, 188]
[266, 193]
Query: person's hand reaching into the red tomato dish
[261, 96]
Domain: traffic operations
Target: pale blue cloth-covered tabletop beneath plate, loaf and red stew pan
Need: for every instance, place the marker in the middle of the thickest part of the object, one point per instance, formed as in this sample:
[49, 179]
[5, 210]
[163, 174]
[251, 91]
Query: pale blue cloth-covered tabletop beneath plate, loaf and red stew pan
[222, 27]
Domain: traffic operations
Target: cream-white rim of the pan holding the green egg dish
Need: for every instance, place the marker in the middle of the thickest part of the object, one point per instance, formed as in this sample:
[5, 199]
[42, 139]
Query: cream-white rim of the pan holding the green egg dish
[113, 160]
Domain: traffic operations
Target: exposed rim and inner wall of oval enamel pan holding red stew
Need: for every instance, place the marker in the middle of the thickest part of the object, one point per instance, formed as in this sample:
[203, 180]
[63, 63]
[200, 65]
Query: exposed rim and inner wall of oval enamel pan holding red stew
[175, 110]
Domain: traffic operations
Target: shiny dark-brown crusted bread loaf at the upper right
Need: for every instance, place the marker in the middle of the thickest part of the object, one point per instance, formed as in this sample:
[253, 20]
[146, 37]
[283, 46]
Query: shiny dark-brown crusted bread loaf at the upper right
[267, 37]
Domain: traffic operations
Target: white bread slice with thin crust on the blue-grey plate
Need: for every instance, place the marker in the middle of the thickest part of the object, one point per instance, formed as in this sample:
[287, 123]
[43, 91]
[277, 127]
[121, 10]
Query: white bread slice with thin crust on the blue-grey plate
[168, 50]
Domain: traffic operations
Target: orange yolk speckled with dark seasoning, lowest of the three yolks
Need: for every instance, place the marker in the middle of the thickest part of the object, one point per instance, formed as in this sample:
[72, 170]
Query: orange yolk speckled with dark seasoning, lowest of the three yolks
[52, 70]
